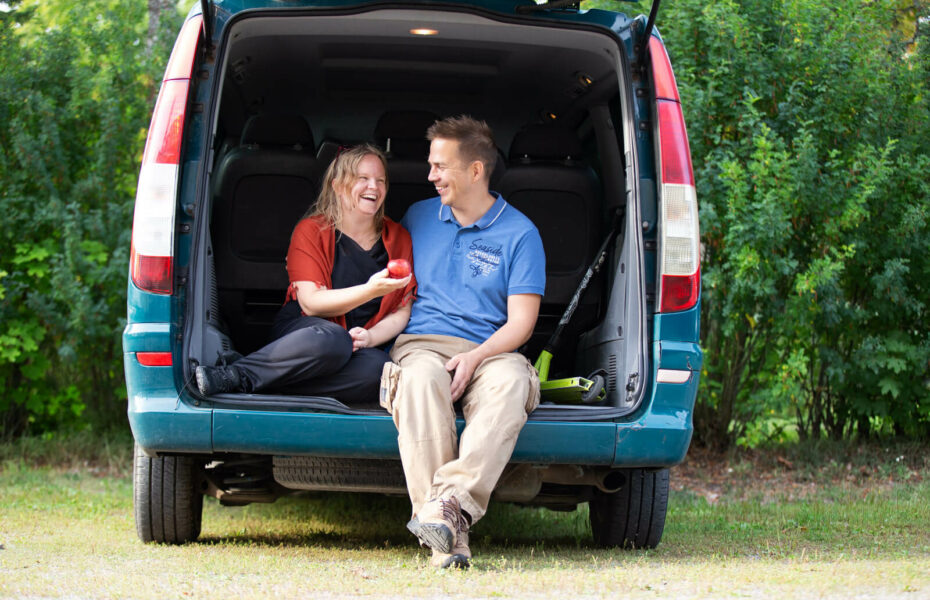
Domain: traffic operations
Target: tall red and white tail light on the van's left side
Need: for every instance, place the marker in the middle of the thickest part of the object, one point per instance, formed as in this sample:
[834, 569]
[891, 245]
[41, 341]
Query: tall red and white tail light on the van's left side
[152, 253]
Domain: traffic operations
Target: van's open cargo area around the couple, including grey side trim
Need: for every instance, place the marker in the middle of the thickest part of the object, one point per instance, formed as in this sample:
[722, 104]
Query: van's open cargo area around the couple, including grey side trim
[296, 85]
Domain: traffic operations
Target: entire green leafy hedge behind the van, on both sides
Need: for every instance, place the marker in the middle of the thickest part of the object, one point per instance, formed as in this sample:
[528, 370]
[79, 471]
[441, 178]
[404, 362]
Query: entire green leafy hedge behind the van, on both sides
[809, 126]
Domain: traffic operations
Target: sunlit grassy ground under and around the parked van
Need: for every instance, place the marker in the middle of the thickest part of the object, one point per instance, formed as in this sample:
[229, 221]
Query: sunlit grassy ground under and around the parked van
[851, 524]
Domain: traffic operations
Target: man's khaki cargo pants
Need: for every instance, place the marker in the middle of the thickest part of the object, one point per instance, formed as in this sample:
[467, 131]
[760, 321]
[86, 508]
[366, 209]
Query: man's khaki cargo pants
[416, 391]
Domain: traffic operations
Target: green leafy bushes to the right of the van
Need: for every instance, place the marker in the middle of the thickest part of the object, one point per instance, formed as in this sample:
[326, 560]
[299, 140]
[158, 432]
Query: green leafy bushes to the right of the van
[809, 125]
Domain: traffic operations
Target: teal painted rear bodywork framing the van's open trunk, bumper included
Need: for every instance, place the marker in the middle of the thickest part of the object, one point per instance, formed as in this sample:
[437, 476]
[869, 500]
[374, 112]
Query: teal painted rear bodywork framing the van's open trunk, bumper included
[167, 416]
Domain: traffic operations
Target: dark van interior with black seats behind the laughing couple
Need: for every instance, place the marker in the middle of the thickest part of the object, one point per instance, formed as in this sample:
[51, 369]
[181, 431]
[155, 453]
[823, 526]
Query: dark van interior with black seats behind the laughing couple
[295, 90]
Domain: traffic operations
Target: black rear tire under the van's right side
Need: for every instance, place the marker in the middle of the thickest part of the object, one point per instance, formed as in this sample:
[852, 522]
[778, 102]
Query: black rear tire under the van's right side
[634, 516]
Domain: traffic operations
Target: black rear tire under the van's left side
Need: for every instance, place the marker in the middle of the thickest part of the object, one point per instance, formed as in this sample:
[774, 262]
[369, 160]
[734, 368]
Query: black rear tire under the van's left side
[167, 498]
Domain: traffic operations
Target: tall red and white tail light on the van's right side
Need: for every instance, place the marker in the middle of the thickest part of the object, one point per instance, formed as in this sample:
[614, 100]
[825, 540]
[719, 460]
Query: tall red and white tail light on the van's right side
[679, 243]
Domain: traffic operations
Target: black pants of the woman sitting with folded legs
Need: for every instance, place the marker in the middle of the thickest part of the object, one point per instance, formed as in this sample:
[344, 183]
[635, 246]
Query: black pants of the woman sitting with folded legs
[311, 356]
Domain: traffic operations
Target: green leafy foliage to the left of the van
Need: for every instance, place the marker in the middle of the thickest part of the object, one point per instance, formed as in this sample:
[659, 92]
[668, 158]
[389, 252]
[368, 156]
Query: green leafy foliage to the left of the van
[76, 92]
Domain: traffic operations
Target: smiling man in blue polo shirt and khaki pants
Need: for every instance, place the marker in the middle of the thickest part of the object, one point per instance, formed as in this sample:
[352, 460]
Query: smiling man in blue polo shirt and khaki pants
[480, 272]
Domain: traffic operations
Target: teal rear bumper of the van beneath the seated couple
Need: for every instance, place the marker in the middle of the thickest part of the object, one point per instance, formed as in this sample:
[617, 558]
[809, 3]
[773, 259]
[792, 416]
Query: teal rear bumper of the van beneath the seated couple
[164, 421]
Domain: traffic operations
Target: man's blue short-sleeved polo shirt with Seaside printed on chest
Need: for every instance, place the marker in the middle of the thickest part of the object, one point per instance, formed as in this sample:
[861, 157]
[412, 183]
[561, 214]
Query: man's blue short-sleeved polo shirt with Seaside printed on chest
[464, 274]
